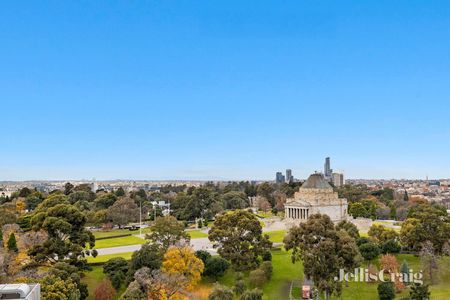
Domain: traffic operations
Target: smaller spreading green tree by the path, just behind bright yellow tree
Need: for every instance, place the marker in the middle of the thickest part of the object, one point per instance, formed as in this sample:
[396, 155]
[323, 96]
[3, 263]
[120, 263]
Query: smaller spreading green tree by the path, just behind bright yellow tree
[166, 232]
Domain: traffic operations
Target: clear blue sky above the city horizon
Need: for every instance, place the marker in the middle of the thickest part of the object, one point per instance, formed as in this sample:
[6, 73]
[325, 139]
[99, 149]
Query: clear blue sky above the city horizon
[223, 89]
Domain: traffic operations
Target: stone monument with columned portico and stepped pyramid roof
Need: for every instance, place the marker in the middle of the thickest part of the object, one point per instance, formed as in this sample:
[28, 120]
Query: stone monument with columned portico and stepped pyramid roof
[316, 195]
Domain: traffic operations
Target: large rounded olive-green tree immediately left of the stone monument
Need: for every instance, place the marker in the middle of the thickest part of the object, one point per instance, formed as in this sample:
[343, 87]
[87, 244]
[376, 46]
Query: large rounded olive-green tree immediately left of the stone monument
[239, 238]
